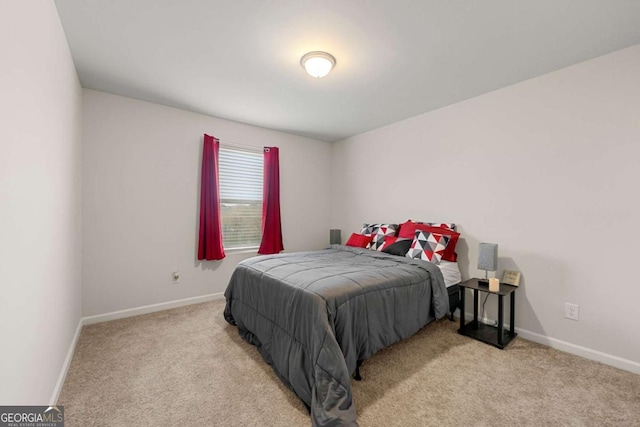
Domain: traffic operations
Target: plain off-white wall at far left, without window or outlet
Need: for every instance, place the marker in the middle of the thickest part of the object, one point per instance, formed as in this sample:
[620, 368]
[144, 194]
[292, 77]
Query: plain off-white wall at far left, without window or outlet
[40, 209]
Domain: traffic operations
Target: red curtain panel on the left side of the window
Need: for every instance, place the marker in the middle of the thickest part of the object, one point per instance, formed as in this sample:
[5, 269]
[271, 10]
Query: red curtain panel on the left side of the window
[210, 237]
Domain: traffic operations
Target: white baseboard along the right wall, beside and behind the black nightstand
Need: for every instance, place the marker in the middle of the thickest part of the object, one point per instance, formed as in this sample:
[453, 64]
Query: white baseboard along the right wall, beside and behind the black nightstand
[587, 353]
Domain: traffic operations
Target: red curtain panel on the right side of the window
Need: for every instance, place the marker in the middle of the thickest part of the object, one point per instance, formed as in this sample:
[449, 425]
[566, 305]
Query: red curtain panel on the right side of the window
[271, 226]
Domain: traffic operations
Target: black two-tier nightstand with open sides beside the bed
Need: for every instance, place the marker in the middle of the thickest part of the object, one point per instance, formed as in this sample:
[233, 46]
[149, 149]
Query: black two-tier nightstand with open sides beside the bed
[493, 335]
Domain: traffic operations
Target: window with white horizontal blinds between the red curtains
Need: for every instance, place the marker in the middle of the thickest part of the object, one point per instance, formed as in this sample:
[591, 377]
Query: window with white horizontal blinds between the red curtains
[240, 180]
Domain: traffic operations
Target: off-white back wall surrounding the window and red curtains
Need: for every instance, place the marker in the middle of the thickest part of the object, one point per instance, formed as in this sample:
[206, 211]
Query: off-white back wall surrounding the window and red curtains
[141, 173]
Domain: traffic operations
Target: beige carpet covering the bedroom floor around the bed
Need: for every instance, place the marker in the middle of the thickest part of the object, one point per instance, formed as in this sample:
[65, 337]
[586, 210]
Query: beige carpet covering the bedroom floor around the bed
[188, 367]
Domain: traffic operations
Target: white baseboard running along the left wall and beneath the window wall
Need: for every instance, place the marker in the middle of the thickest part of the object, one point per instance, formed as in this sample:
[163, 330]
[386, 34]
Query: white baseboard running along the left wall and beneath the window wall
[120, 315]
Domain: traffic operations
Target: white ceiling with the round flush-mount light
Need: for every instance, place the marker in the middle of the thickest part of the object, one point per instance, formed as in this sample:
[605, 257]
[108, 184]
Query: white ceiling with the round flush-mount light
[239, 59]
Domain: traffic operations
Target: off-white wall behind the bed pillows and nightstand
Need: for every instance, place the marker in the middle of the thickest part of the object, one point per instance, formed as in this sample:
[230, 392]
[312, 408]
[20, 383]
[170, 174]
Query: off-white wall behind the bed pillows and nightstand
[548, 169]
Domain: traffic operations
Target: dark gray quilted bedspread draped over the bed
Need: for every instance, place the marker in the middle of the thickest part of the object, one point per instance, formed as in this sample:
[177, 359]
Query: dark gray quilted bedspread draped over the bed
[314, 315]
